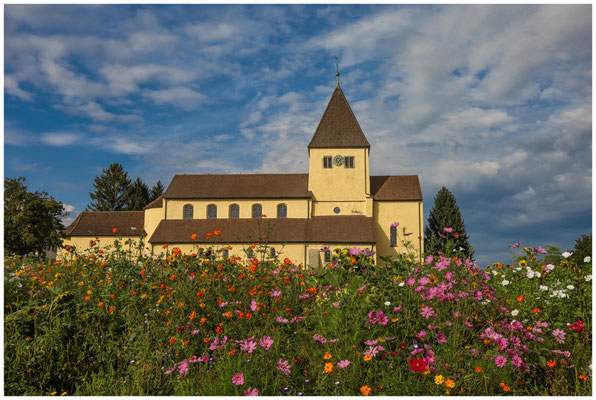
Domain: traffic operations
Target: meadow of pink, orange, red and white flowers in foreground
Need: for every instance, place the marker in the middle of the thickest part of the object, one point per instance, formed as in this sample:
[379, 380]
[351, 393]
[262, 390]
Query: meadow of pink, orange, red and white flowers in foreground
[112, 322]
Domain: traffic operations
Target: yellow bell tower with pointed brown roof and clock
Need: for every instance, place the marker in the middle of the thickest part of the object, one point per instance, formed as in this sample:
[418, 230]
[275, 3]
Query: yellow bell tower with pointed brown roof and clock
[339, 173]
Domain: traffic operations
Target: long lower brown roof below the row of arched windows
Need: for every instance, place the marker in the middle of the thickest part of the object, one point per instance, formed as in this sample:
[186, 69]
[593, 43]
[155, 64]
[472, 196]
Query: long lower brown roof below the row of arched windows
[333, 229]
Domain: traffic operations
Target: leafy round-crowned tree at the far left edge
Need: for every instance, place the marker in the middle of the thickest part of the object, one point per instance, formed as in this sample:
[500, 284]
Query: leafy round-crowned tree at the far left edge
[32, 221]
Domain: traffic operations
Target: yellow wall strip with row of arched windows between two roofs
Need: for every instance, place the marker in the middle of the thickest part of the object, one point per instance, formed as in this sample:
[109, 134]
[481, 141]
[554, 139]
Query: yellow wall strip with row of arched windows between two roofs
[297, 208]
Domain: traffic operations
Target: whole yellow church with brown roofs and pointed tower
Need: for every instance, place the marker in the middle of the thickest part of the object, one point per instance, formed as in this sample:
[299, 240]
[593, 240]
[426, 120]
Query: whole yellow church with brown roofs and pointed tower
[336, 204]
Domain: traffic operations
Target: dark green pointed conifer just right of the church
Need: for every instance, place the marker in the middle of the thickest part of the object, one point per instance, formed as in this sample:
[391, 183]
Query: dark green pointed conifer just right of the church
[445, 214]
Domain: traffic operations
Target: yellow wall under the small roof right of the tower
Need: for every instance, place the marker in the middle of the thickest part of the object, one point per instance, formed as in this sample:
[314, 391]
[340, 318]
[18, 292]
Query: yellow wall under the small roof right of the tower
[409, 214]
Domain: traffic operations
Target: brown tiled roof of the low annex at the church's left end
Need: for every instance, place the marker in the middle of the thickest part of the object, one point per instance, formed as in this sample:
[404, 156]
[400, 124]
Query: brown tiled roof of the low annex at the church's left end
[102, 223]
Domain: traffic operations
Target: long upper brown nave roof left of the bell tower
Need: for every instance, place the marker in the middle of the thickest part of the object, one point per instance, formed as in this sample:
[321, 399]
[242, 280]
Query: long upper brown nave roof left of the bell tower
[249, 186]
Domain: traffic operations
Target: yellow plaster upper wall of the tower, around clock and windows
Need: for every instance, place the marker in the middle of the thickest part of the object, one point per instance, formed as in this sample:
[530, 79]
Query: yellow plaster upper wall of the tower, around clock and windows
[339, 183]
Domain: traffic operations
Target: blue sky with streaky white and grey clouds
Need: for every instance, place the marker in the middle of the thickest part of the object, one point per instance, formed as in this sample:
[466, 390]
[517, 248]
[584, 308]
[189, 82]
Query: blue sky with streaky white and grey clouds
[492, 102]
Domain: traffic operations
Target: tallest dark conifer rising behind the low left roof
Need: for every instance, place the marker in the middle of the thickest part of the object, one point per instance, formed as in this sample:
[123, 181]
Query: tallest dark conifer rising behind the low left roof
[112, 189]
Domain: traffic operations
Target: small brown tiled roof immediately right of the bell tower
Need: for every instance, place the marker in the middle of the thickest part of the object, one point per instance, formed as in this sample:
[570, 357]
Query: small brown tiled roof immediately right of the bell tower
[397, 187]
